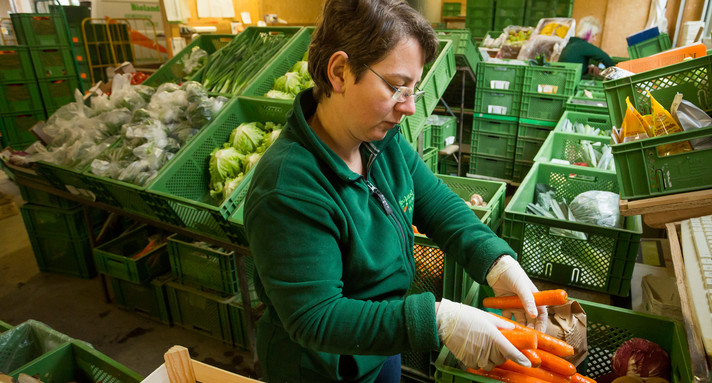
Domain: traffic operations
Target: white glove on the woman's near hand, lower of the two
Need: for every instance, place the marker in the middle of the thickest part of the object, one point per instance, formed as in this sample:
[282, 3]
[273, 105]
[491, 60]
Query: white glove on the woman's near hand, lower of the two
[473, 336]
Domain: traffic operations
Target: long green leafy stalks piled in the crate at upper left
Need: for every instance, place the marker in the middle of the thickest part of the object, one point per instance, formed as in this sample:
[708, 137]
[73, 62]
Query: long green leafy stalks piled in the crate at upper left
[231, 68]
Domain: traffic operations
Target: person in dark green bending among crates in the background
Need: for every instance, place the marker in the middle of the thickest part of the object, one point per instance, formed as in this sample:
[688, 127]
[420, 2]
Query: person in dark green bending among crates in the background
[581, 48]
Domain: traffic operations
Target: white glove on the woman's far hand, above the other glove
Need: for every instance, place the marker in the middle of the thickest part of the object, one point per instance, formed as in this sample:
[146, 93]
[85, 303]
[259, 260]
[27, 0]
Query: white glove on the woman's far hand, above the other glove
[508, 278]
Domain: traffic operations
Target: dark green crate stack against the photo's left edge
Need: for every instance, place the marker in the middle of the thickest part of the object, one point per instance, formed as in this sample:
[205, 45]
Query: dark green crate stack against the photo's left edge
[20, 100]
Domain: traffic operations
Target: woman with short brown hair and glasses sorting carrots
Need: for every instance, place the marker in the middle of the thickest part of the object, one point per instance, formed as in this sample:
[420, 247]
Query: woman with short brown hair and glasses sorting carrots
[330, 208]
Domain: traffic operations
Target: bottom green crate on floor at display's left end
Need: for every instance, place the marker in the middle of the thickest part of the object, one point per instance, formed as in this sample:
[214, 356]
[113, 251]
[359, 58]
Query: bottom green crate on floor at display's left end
[64, 255]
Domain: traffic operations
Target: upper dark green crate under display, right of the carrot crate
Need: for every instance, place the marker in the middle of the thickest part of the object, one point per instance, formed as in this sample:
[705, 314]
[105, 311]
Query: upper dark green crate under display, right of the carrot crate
[201, 267]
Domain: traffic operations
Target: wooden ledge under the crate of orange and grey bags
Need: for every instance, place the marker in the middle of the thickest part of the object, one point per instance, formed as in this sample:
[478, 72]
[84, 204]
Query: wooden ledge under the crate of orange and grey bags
[658, 211]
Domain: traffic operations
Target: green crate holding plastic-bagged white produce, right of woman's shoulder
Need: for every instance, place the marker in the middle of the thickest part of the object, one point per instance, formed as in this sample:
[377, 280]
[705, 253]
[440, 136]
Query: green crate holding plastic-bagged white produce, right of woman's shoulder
[602, 262]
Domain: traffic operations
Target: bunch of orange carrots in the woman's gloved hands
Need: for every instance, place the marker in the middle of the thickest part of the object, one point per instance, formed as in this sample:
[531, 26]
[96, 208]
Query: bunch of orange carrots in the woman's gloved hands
[545, 352]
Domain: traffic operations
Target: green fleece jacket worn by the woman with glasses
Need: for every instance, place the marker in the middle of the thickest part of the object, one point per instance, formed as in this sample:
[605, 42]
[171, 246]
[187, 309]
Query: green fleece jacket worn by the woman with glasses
[334, 253]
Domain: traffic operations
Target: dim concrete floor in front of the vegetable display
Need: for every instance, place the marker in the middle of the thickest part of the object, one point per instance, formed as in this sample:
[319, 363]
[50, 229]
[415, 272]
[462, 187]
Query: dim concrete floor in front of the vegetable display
[77, 307]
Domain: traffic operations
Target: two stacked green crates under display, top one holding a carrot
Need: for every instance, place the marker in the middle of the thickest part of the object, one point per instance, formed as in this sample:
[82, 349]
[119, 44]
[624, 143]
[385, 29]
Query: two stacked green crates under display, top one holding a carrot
[135, 263]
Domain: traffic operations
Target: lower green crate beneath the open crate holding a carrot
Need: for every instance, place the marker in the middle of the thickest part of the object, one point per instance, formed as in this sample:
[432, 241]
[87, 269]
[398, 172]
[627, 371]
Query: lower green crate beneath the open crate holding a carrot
[146, 299]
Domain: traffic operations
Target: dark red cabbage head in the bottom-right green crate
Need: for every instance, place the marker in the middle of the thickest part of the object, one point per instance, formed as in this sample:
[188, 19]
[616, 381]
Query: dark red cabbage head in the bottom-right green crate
[641, 357]
